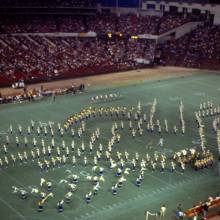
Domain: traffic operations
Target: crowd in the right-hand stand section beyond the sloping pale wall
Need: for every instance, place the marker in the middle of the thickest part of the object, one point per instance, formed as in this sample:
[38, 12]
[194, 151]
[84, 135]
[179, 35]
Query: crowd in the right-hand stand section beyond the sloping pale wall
[199, 49]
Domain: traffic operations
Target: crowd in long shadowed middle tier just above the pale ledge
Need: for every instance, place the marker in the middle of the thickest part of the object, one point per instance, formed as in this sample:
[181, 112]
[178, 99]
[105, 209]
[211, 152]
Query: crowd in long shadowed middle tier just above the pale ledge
[100, 23]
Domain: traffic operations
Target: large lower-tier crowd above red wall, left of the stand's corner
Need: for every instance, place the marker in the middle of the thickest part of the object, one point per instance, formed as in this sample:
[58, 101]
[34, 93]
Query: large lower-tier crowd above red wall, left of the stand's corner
[35, 58]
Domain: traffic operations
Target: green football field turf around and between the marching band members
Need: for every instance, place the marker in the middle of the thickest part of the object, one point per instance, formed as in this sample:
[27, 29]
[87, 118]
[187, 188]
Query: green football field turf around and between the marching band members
[131, 202]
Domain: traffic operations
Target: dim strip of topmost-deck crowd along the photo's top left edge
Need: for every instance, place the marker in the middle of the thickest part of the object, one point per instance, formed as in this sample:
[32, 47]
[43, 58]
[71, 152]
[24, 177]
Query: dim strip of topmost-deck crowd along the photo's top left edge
[48, 3]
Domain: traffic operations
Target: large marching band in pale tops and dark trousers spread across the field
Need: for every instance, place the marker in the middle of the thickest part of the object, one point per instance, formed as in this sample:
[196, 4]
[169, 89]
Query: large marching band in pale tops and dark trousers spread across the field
[46, 146]
